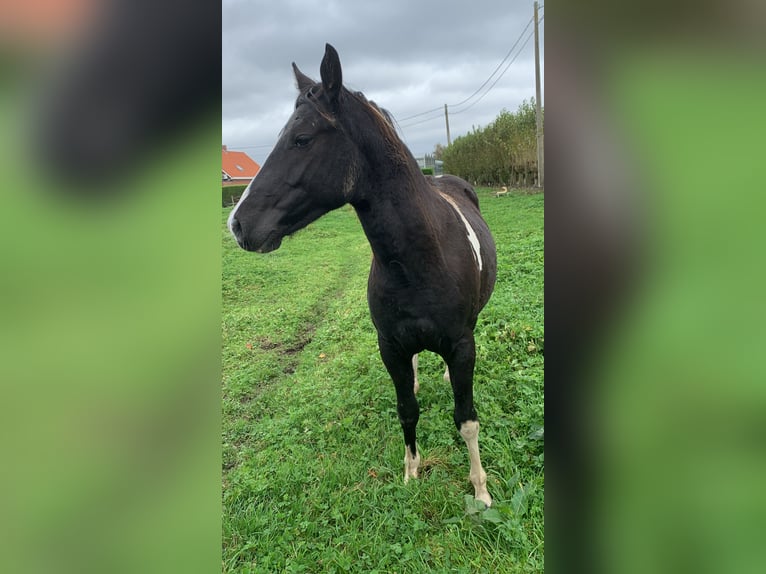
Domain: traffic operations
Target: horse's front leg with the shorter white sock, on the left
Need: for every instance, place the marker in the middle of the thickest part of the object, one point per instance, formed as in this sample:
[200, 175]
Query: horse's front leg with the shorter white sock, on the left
[400, 367]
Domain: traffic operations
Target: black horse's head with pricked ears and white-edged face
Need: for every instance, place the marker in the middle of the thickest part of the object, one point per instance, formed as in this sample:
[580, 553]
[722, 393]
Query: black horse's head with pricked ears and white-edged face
[312, 169]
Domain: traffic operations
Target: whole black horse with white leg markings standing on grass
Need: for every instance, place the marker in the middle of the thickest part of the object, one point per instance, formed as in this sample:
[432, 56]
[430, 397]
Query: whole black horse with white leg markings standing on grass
[433, 257]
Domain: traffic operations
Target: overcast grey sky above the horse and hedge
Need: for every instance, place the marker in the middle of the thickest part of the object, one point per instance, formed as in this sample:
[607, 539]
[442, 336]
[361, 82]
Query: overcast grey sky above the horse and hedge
[409, 56]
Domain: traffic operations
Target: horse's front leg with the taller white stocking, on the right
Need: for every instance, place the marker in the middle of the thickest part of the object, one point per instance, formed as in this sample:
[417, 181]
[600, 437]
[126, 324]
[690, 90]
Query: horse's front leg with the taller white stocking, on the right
[460, 365]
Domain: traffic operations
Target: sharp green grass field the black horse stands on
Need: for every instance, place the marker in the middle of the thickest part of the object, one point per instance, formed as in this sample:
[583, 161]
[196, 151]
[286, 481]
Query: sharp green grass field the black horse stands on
[312, 447]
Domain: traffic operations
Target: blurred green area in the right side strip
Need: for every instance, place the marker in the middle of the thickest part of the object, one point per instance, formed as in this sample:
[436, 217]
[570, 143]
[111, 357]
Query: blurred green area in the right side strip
[681, 399]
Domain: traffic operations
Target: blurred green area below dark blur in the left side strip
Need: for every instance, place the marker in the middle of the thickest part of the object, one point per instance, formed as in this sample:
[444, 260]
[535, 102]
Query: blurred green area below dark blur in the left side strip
[109, 354]
